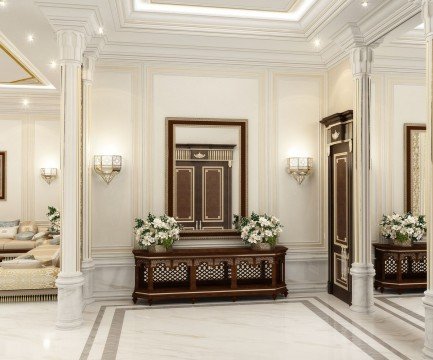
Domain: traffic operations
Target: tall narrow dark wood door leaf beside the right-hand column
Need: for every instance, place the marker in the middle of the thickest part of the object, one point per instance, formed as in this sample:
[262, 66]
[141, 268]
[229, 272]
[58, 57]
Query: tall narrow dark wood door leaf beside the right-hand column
[340, 221]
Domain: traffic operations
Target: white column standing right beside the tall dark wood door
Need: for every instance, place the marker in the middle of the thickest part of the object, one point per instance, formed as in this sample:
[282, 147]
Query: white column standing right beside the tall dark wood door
[362, 269]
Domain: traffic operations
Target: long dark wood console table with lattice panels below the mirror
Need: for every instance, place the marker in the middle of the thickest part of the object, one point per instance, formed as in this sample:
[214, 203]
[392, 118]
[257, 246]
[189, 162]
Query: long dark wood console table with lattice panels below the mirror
[197, 273]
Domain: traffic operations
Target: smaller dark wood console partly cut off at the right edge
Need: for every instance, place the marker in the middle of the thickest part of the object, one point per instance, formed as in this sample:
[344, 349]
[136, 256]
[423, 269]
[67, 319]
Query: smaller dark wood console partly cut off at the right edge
[400, 268]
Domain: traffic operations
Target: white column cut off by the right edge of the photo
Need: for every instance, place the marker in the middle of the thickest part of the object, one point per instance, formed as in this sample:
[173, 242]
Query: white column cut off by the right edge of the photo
[427, 12]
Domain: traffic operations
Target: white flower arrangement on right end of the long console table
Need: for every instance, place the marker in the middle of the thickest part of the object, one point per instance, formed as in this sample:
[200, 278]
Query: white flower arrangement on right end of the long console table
[258, 228]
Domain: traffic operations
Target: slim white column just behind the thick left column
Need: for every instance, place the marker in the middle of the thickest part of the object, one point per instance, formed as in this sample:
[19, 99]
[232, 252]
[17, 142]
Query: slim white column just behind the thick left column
[87, 265]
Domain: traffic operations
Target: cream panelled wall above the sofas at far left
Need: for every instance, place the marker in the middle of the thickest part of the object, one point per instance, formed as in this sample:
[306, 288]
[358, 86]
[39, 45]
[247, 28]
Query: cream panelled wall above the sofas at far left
[31, 141]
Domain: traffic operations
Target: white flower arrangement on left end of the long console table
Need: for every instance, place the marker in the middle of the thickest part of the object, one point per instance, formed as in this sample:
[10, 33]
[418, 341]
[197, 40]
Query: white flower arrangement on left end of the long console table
[163, 230]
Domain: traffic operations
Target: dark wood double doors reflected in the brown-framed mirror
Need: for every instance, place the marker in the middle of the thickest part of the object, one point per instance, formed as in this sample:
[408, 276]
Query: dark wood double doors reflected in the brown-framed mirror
[203, 195]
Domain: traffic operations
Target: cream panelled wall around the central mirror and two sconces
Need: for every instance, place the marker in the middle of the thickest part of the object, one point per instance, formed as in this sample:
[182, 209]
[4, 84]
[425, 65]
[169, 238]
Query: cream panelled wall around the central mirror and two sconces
[130, 104]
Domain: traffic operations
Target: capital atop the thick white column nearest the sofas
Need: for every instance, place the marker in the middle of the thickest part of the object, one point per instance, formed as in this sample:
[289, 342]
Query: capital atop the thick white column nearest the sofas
[71, 44]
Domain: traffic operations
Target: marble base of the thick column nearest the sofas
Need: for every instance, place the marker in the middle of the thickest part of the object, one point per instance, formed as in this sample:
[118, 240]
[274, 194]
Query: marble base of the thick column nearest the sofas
[69, 300]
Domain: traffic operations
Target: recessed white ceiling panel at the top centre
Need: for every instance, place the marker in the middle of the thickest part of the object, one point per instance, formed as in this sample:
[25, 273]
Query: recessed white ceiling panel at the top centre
[257, 5]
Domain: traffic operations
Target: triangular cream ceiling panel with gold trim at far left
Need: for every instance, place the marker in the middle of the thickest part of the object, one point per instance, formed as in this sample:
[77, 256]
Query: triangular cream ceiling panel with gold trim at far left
[13, 71]
